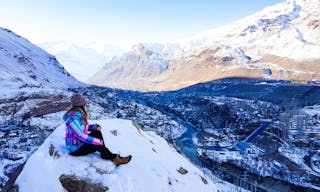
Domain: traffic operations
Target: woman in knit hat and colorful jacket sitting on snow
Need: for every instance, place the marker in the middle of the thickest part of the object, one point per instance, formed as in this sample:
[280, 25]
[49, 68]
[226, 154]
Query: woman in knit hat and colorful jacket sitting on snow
[82, 138]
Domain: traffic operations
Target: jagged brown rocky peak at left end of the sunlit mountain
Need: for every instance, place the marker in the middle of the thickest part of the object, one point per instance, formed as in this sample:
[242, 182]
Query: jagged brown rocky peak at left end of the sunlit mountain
[141, 63]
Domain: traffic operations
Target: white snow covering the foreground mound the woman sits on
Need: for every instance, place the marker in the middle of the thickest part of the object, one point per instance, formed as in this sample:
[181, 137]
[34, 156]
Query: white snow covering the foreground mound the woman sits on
[153, 166]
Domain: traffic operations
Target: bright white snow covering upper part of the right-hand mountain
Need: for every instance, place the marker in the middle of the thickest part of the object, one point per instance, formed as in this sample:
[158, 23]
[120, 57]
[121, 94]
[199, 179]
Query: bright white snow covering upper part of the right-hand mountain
[283, 23]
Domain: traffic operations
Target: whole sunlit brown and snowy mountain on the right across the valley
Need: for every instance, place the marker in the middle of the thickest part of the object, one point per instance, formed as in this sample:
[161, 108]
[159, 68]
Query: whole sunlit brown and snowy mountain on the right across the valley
[280, 42]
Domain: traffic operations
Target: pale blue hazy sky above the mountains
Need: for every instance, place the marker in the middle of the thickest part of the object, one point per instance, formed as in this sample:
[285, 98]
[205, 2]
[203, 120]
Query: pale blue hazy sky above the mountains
[121, 22]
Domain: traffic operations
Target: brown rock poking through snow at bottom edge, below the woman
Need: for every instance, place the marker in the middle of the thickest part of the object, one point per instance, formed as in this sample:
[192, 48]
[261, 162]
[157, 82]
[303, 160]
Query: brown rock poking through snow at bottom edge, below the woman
[74, 184]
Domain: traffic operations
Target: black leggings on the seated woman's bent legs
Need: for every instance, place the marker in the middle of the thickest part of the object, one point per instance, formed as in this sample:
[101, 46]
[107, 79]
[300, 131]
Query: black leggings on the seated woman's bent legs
[86, 148]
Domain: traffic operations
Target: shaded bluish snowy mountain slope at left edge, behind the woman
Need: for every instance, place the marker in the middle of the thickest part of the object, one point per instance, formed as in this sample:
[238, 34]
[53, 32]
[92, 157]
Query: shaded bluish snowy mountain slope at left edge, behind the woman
[30, 79]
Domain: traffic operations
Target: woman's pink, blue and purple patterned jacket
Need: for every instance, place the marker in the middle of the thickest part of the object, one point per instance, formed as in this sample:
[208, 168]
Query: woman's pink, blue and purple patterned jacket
[77, 131]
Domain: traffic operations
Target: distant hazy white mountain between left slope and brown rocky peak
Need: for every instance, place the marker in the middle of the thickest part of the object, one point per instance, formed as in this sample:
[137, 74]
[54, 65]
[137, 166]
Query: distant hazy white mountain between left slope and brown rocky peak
[81, 61]
